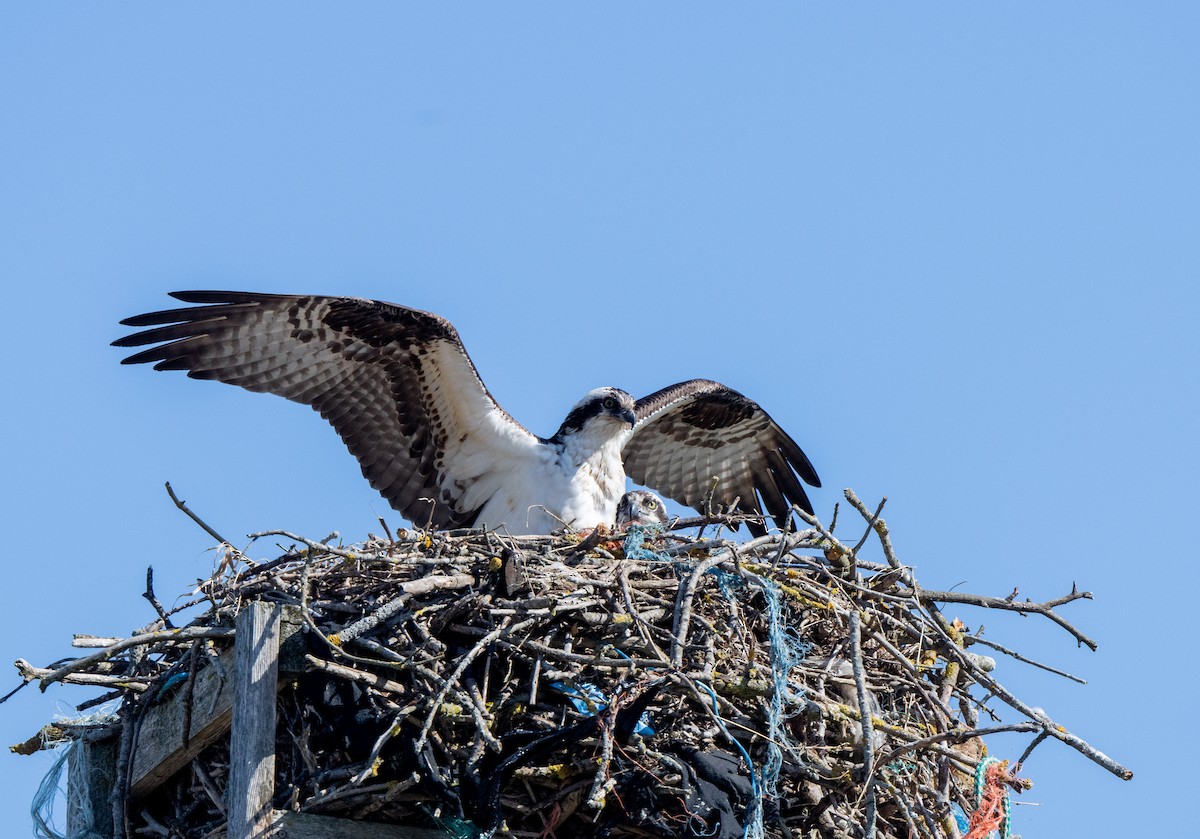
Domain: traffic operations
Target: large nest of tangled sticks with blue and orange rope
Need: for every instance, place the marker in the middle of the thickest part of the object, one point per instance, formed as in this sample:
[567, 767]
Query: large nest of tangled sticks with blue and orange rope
[651, 685]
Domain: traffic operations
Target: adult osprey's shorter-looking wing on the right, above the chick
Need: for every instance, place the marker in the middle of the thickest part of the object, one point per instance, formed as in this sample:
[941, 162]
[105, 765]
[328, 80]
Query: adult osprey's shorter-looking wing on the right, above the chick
[693, 433]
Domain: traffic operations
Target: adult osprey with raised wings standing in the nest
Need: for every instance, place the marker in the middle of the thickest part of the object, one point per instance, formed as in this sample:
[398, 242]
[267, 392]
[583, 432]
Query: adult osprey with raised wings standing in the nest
[400, 389]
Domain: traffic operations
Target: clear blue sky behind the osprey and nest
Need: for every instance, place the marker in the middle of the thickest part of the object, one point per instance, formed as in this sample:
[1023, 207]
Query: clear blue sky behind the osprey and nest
[952, 249]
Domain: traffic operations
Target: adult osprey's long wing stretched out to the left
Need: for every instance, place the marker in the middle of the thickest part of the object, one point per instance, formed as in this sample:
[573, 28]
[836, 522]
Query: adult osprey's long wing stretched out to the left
[395, 383]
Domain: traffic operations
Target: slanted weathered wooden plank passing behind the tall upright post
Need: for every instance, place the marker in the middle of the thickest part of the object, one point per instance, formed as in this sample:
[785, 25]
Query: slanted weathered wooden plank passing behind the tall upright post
[161, 751]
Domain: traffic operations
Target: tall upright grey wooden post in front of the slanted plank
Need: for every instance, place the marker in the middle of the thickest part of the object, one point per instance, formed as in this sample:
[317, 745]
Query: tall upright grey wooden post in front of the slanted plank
[253, 742]
